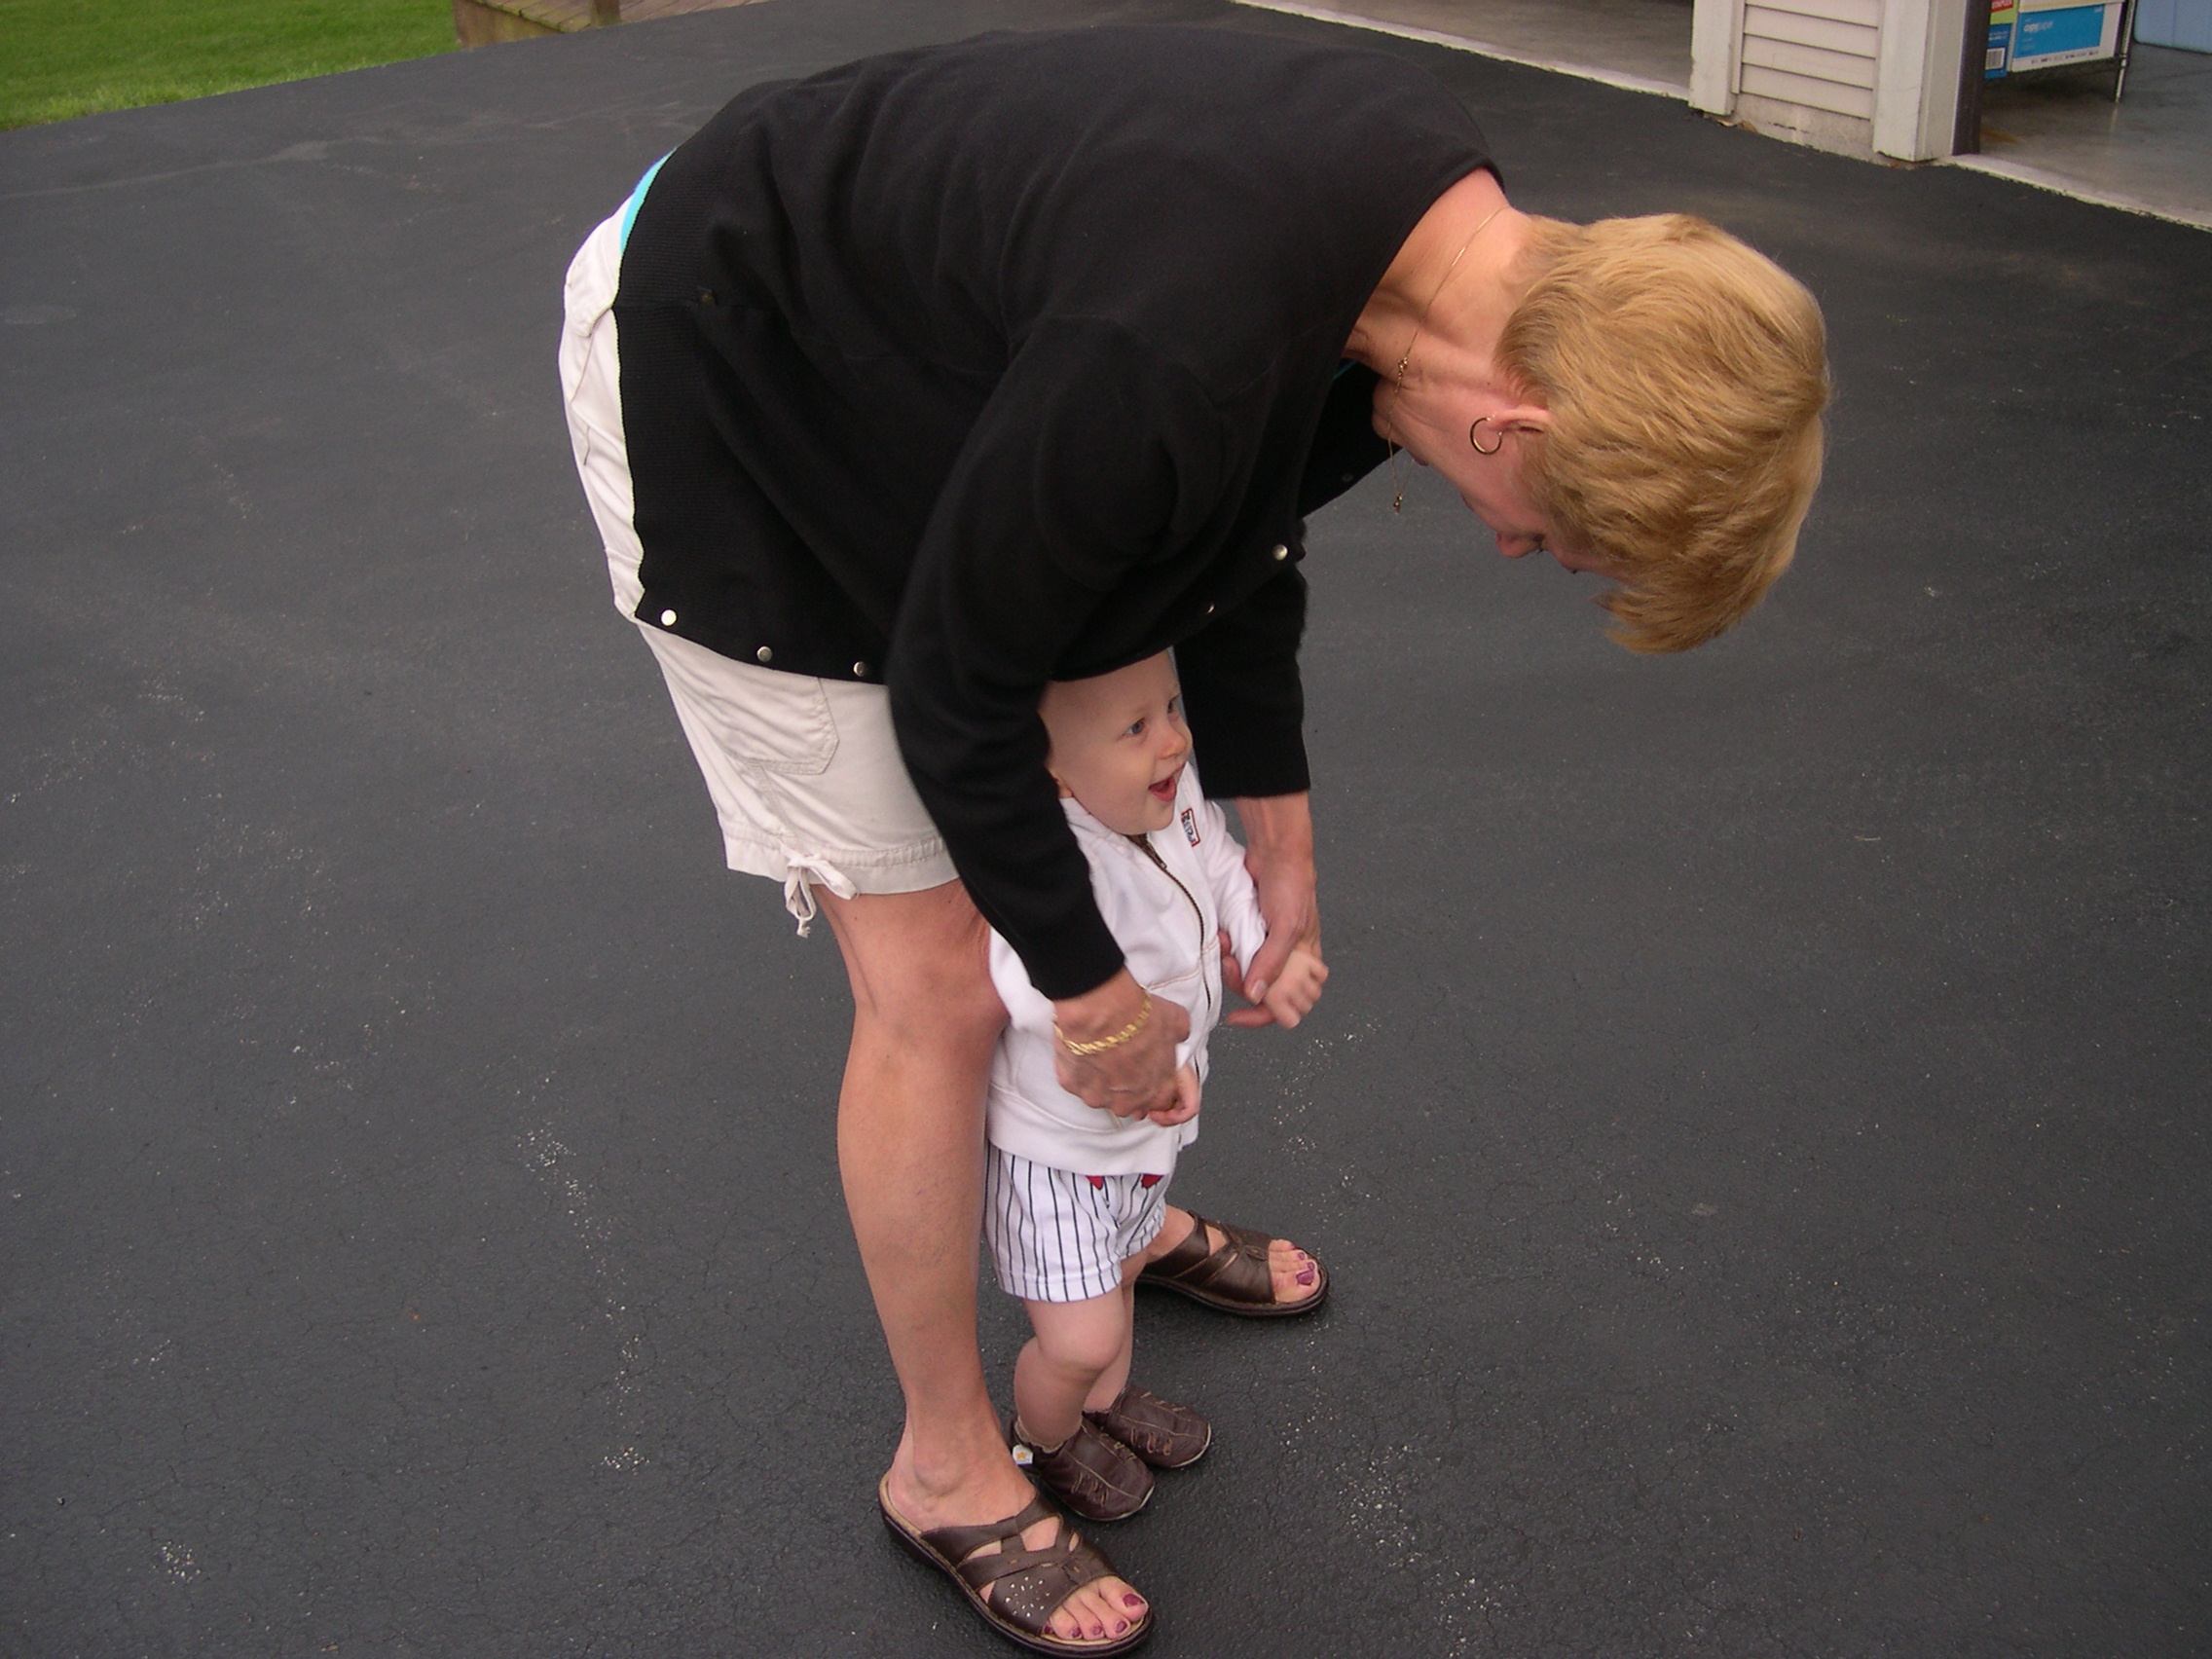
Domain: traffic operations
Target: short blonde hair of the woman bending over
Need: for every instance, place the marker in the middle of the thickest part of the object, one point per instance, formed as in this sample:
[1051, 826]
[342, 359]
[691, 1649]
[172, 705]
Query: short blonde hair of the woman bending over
[1687, 377]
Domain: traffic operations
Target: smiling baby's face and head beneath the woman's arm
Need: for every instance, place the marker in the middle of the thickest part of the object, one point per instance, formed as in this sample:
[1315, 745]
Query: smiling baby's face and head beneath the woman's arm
[1120, 744]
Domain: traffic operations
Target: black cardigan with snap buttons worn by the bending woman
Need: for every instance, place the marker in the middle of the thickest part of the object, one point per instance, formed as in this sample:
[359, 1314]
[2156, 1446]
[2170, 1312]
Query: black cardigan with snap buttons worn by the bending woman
[1012, 362]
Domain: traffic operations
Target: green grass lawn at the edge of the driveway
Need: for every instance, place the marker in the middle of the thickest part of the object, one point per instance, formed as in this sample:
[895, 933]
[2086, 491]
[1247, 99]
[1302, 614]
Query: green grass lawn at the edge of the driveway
[63, 59]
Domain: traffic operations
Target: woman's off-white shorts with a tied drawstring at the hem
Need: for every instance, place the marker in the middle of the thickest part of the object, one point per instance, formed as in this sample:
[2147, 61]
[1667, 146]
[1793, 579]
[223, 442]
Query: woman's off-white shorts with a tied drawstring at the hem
[804, 773]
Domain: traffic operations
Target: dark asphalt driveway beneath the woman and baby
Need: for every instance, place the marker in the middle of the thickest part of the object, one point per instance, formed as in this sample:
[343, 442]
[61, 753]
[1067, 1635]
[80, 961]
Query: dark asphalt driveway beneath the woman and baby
[1757, 1123]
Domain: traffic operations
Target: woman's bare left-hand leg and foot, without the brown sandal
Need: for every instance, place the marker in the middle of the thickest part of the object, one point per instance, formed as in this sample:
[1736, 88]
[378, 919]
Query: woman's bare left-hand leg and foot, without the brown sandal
[910, 1149]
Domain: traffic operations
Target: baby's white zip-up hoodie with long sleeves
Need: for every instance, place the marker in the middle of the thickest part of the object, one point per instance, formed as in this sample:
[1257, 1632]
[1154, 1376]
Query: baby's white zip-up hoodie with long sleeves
[1167, 901]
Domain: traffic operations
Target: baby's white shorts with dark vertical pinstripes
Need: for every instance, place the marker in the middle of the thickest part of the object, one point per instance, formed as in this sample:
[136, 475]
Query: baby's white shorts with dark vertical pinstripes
[1063, 1238]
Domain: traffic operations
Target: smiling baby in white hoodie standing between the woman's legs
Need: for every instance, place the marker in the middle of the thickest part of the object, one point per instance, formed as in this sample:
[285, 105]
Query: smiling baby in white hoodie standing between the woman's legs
[1074, 1196]
